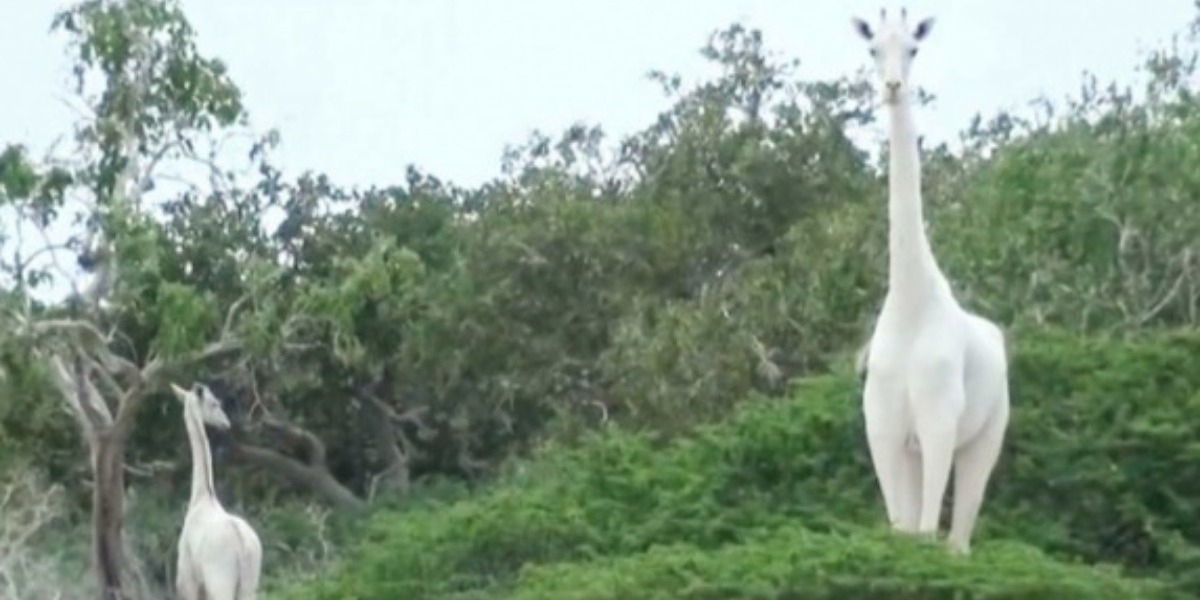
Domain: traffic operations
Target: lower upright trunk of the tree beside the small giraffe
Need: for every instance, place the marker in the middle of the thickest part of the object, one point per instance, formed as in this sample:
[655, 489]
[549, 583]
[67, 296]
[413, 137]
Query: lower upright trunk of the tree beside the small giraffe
[107, 514]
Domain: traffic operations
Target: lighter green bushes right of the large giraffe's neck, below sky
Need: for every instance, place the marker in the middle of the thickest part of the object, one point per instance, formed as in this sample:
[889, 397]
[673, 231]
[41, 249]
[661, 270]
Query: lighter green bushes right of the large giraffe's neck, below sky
[1099, 229]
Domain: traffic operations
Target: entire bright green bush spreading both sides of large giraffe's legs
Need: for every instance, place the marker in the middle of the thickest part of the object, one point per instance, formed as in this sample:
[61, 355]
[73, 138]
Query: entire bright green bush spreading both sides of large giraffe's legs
[1100, 467]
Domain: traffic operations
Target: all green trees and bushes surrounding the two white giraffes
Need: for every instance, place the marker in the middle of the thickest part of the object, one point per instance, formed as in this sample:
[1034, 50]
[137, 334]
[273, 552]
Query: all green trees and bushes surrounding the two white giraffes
[593, 377]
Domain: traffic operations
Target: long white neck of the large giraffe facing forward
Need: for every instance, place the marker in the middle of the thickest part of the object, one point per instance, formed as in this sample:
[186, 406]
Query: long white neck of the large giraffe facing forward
[913, 271]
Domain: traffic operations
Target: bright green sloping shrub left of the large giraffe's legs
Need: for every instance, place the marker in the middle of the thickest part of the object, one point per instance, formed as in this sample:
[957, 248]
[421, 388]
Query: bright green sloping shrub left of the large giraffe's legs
[623, 494]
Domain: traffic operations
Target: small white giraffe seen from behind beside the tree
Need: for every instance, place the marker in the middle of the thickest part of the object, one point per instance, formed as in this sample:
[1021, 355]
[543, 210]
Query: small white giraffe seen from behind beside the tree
[220, 555]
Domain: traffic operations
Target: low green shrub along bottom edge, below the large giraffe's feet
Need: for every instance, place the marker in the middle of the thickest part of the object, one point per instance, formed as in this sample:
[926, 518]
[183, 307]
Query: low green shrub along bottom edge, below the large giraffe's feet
[797, 565]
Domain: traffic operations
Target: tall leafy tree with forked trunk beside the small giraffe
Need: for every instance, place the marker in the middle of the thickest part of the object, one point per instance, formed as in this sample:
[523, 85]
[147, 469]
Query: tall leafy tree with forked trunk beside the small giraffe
[155, 101]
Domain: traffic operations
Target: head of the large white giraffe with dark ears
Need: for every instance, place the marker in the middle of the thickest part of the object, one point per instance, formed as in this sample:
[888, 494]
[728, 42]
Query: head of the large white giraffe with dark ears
[893, 45]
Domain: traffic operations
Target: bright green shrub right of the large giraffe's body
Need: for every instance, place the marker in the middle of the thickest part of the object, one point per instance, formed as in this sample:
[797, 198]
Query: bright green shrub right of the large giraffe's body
[1102, 460]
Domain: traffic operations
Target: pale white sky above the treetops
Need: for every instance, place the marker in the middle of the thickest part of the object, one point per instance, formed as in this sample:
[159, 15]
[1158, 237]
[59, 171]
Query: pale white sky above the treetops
[362, 88]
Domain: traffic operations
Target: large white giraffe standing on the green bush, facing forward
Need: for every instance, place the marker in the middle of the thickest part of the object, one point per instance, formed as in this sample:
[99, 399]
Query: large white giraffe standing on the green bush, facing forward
[937, 389]
